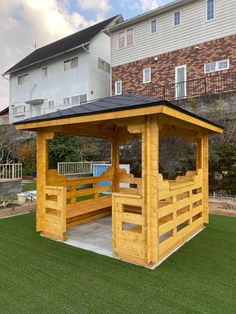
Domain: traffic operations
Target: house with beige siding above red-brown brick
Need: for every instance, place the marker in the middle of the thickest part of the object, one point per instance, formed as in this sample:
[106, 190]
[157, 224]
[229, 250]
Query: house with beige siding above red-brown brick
[183, 49]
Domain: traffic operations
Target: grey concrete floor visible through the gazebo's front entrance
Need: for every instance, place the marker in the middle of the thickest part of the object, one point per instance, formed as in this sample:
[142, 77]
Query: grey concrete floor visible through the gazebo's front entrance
[95, 236]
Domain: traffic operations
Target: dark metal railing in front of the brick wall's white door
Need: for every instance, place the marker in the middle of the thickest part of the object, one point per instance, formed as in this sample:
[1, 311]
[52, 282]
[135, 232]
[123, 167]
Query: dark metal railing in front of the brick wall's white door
[211, 84]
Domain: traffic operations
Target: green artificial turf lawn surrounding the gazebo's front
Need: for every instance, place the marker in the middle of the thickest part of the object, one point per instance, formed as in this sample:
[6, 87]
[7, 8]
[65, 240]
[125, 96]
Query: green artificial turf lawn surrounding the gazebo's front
[38, 275]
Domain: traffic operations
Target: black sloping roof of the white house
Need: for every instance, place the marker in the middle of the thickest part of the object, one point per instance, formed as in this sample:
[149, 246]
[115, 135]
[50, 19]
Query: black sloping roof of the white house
[77, 39]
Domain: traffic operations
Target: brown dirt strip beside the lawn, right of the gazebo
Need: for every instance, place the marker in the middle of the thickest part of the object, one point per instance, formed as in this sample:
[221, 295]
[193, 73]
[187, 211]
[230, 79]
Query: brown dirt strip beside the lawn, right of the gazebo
[222, 207]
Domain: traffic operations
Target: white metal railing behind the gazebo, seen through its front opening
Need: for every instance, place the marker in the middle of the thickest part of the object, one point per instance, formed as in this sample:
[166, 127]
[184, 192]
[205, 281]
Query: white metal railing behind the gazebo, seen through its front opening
[77, 168]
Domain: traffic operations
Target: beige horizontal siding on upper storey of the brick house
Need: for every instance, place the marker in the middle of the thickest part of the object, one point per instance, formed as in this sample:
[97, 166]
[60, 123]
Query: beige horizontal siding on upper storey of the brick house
[193, 30]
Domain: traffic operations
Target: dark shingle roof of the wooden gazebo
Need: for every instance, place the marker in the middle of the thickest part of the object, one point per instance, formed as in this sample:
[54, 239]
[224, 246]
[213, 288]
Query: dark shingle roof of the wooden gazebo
[110, 104]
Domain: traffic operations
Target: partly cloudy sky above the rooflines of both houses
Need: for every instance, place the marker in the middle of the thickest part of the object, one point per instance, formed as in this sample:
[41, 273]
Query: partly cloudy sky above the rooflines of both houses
[25, 24]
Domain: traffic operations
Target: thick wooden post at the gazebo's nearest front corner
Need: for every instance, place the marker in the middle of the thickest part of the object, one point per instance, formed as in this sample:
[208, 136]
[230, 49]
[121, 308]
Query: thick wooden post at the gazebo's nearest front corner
[150, 152]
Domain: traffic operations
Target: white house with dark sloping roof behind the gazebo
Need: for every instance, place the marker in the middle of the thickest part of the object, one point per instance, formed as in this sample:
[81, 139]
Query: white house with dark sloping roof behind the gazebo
[63, 74]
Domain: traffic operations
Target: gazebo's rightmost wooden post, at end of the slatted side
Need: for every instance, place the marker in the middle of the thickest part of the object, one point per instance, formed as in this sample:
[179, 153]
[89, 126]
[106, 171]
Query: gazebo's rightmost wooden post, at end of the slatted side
[202, 163]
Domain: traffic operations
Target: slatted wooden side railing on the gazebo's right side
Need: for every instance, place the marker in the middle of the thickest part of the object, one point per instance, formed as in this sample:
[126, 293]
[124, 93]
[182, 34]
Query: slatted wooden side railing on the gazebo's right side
[180, 210]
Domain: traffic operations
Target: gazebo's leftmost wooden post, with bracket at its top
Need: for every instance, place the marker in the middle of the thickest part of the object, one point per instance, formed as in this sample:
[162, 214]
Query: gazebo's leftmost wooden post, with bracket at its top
[42, 167]
